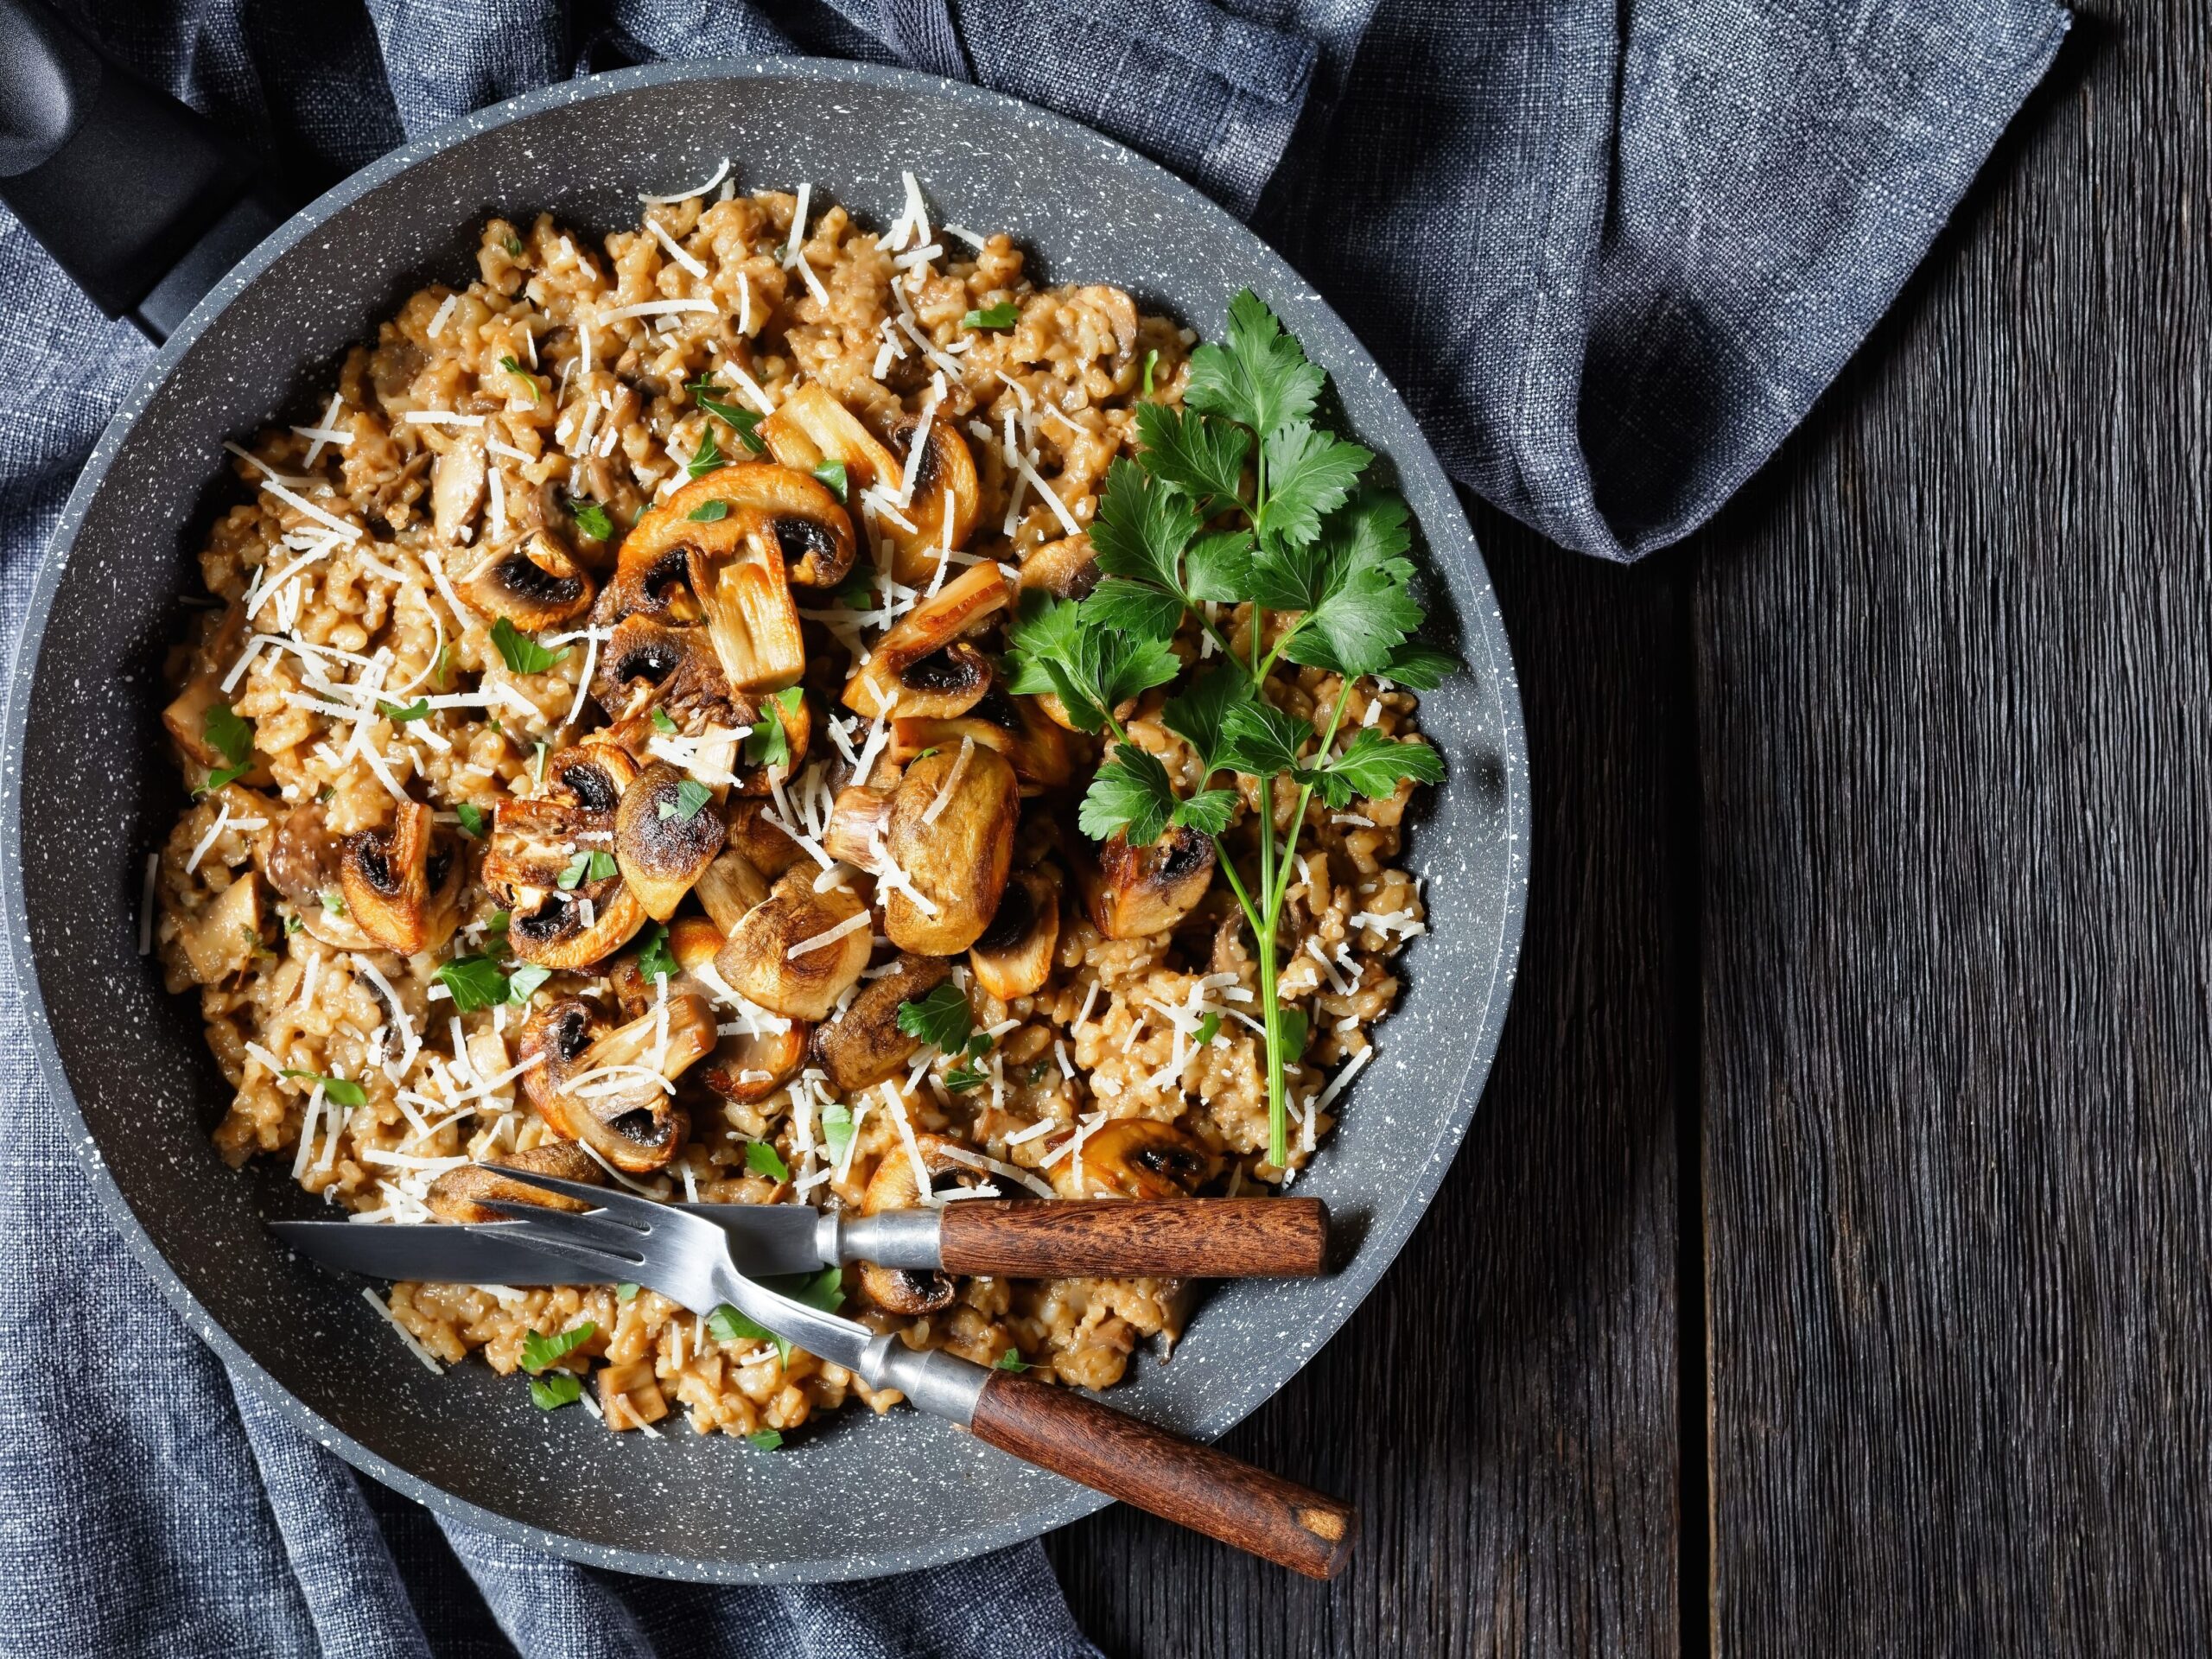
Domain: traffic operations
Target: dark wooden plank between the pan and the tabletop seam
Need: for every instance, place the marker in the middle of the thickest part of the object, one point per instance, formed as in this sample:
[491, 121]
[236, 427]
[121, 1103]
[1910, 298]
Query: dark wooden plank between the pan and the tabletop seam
[1503, 1410]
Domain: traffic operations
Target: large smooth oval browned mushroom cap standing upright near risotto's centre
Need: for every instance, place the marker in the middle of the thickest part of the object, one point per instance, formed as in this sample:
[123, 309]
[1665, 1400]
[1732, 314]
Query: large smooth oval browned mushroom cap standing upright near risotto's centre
[952, 837]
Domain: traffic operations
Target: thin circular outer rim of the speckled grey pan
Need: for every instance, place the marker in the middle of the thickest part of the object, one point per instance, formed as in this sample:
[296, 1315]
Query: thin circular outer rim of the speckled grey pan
[1483, 638]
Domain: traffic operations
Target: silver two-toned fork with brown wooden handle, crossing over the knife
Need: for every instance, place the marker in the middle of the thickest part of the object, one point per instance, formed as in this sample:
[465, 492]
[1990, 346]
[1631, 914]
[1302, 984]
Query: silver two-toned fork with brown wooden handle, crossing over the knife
[689, 1260]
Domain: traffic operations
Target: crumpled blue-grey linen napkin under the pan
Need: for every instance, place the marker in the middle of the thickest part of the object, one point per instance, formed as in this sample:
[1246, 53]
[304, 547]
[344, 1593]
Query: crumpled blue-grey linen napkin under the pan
[1609, 253]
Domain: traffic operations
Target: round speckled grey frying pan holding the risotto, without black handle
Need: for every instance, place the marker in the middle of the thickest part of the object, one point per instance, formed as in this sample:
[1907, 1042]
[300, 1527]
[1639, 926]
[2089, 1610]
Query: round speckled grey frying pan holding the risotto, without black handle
[127, 1067]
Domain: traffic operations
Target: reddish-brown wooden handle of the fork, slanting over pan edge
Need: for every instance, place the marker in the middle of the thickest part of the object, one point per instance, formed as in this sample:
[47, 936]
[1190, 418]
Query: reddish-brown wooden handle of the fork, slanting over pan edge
[1169, 1477]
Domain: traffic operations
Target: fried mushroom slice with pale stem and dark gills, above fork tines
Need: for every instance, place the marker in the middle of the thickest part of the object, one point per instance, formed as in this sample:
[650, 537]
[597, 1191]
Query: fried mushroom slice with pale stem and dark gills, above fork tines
[612, 1089]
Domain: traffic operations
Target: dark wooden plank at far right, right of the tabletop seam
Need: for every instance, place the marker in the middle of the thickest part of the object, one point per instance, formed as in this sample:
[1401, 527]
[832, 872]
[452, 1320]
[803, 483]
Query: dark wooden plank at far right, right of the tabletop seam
[1959, 795]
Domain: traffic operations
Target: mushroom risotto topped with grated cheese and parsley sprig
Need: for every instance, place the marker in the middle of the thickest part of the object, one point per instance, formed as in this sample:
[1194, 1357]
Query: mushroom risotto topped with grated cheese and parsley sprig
[764, 711]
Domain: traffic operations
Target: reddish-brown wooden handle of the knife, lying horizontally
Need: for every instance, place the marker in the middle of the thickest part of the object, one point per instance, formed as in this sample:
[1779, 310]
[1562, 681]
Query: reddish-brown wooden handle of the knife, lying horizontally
[1182, 1238]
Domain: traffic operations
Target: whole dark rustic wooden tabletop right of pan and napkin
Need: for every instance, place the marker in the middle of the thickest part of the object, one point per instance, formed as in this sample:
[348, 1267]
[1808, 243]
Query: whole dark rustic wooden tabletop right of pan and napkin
[1828, 1264]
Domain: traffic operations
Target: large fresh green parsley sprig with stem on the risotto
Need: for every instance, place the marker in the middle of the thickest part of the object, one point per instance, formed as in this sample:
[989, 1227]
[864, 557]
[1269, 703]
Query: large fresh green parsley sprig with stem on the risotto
[1240, 499]
